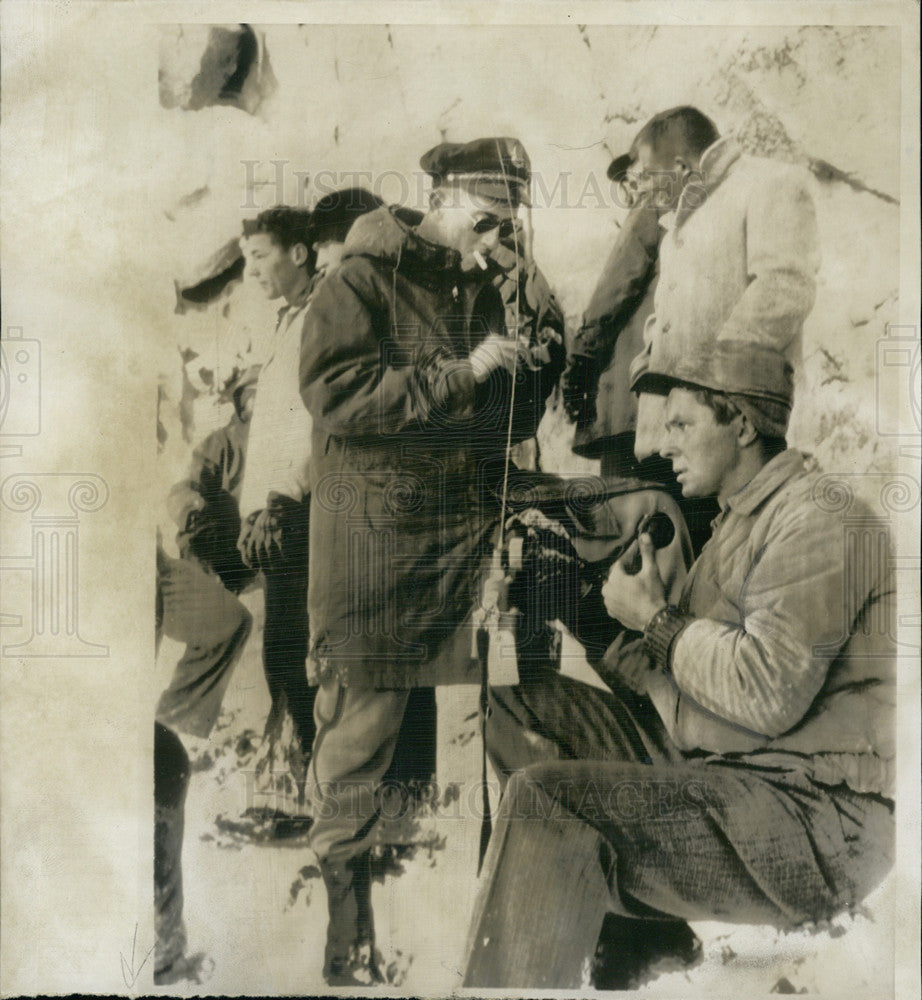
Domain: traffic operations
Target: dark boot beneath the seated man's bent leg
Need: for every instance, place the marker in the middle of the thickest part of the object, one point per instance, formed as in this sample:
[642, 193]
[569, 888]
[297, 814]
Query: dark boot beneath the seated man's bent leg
[627, 950]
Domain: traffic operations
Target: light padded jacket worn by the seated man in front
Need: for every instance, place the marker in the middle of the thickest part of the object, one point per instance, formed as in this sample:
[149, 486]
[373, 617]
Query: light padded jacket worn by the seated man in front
[791, 647]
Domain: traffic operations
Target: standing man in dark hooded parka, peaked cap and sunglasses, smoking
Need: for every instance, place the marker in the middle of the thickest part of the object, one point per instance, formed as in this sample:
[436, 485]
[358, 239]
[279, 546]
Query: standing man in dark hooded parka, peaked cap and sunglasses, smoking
[408, 375]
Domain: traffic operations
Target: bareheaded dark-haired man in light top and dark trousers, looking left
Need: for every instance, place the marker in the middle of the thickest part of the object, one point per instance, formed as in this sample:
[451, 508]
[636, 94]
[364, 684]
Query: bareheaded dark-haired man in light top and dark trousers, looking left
[275, 498]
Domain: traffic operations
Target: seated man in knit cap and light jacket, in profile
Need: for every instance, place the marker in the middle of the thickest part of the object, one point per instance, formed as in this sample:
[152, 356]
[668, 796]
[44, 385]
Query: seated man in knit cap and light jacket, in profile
[773, 678]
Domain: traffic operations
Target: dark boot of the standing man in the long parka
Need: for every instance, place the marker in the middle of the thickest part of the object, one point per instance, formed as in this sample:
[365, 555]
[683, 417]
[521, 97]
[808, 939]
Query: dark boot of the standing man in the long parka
[349, 959]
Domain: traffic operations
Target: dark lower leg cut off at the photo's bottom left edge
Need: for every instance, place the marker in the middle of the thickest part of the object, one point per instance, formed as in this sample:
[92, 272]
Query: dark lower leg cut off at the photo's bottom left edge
[171, 782]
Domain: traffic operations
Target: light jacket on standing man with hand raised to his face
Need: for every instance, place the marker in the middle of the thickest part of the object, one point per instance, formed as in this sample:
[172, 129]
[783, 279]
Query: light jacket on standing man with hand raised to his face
[738, 262]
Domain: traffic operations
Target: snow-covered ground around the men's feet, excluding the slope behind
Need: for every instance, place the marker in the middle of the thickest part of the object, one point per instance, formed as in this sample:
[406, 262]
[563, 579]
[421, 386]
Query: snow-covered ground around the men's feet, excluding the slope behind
[256, 907]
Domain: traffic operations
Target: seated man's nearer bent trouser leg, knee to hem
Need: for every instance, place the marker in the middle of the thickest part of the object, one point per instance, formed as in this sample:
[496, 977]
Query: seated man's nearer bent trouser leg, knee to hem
[698, 841]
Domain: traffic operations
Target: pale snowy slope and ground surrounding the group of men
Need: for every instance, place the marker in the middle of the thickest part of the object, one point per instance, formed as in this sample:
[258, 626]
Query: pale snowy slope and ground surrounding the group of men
[778, 88]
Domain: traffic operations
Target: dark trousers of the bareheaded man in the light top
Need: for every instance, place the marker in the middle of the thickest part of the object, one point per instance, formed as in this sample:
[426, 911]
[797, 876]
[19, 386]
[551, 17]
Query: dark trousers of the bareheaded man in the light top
[285, 643]
